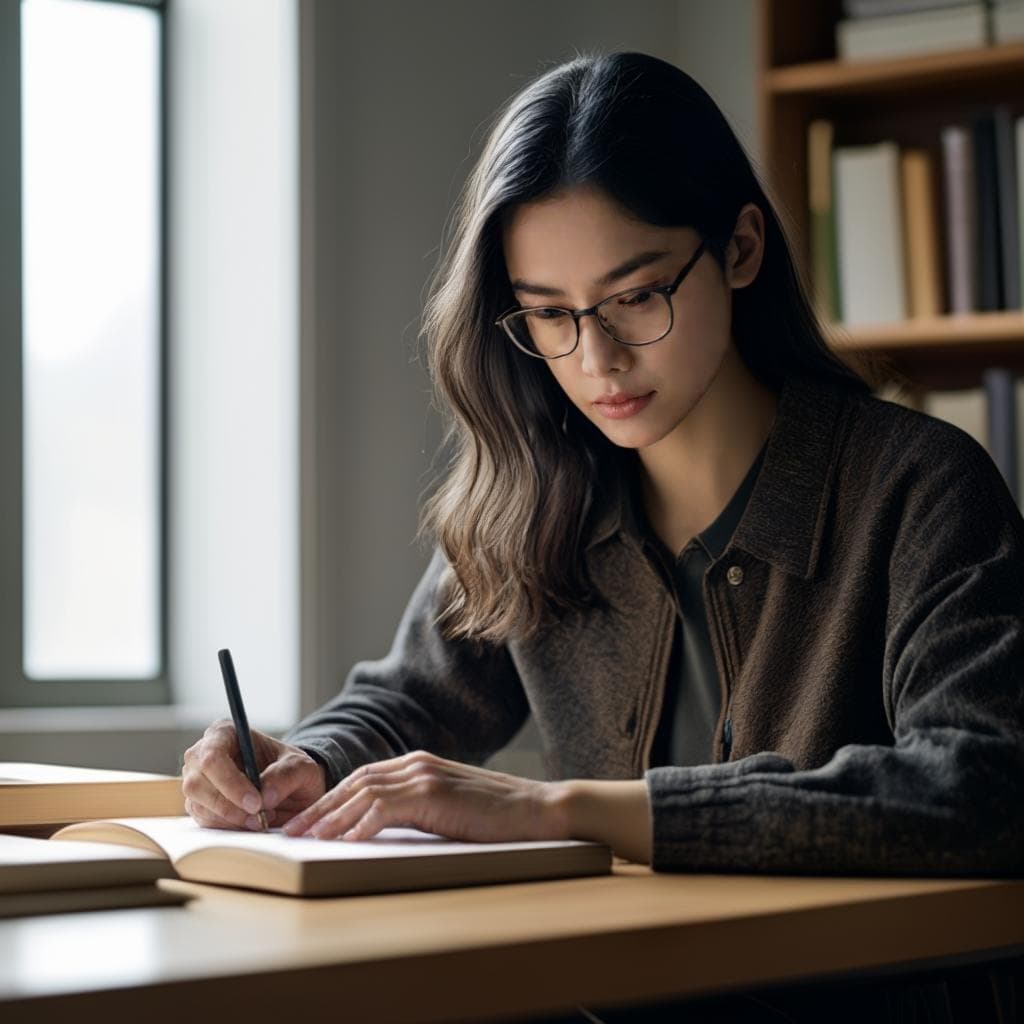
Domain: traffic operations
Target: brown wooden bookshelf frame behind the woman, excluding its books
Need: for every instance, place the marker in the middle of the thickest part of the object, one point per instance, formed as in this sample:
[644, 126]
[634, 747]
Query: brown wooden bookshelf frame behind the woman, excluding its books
[909, 101]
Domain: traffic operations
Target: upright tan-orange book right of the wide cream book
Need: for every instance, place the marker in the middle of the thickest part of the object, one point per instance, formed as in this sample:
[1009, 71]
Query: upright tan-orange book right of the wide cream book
[921, 235]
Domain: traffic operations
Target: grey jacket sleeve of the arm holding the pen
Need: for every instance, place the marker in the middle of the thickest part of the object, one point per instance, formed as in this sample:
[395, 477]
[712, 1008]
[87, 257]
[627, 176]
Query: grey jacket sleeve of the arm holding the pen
[459, 700]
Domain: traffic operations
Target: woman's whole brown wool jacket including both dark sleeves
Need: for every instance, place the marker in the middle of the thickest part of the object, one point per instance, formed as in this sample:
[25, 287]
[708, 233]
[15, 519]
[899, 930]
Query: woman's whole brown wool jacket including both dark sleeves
[868, 624]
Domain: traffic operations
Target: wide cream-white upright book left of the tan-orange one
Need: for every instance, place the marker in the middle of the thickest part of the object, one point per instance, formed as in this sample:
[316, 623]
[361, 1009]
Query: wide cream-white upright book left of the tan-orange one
[870, 228]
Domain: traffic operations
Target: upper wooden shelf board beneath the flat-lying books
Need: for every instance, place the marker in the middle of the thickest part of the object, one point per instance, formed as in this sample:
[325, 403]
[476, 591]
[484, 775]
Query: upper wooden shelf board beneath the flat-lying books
[883, 77]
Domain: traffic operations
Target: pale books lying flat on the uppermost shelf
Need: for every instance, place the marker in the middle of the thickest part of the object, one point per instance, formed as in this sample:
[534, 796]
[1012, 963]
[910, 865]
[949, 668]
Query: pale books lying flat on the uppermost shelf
[878, 29]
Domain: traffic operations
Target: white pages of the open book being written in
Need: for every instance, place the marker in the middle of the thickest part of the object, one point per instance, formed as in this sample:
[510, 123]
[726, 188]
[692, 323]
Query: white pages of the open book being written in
[183, 836]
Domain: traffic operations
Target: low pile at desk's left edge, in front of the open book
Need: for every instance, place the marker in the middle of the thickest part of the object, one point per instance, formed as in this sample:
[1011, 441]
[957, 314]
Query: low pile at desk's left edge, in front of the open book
[40, 877]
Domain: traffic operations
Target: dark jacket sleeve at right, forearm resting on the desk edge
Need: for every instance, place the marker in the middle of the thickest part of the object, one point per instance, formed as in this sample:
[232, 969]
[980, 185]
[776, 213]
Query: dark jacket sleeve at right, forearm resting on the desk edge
[948, 797]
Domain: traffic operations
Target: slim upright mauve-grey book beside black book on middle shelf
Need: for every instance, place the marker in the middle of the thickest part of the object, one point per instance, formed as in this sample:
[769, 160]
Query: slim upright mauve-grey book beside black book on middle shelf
[962, 219]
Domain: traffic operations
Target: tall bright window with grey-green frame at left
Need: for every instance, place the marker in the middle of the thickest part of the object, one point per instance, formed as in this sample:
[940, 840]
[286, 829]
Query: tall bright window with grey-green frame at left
[84, 587]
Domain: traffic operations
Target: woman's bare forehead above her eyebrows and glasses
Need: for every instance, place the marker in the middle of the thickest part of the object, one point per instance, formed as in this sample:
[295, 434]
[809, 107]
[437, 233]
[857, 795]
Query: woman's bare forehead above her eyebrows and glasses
[576, 237]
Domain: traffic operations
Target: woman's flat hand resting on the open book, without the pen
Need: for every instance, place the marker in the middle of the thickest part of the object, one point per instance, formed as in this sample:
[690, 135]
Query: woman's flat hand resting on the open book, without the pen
[425, 792]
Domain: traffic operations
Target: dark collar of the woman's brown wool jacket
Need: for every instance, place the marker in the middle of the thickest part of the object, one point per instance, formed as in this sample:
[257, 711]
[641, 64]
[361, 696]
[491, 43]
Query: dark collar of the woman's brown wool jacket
[784, 522]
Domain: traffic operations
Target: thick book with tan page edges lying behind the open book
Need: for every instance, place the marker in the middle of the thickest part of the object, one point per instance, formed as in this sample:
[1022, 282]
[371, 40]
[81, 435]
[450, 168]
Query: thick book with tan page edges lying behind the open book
[38, 795]
